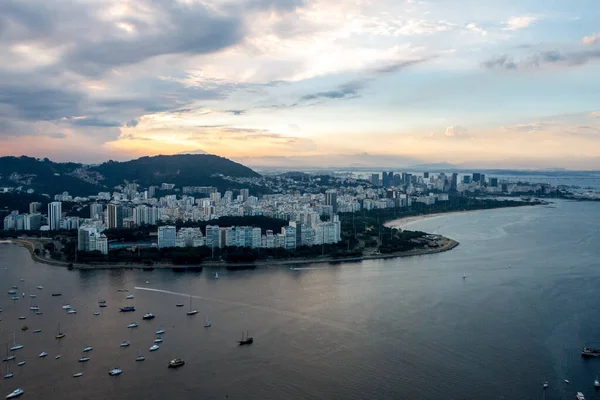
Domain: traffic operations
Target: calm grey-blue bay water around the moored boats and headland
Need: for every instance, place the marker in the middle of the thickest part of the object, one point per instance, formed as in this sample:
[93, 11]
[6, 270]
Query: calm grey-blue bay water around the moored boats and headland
[408, 328]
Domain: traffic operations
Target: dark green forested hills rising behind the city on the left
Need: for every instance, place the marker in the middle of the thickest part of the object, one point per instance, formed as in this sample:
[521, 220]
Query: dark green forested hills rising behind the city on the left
[45, 176]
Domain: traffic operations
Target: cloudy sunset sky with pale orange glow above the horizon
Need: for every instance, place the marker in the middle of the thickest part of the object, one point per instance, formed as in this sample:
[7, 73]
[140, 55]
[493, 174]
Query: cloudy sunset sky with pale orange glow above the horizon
[511, 83]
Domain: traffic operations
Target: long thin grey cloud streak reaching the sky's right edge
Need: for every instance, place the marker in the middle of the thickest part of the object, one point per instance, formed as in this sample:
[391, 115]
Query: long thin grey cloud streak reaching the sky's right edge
[544, 58]
